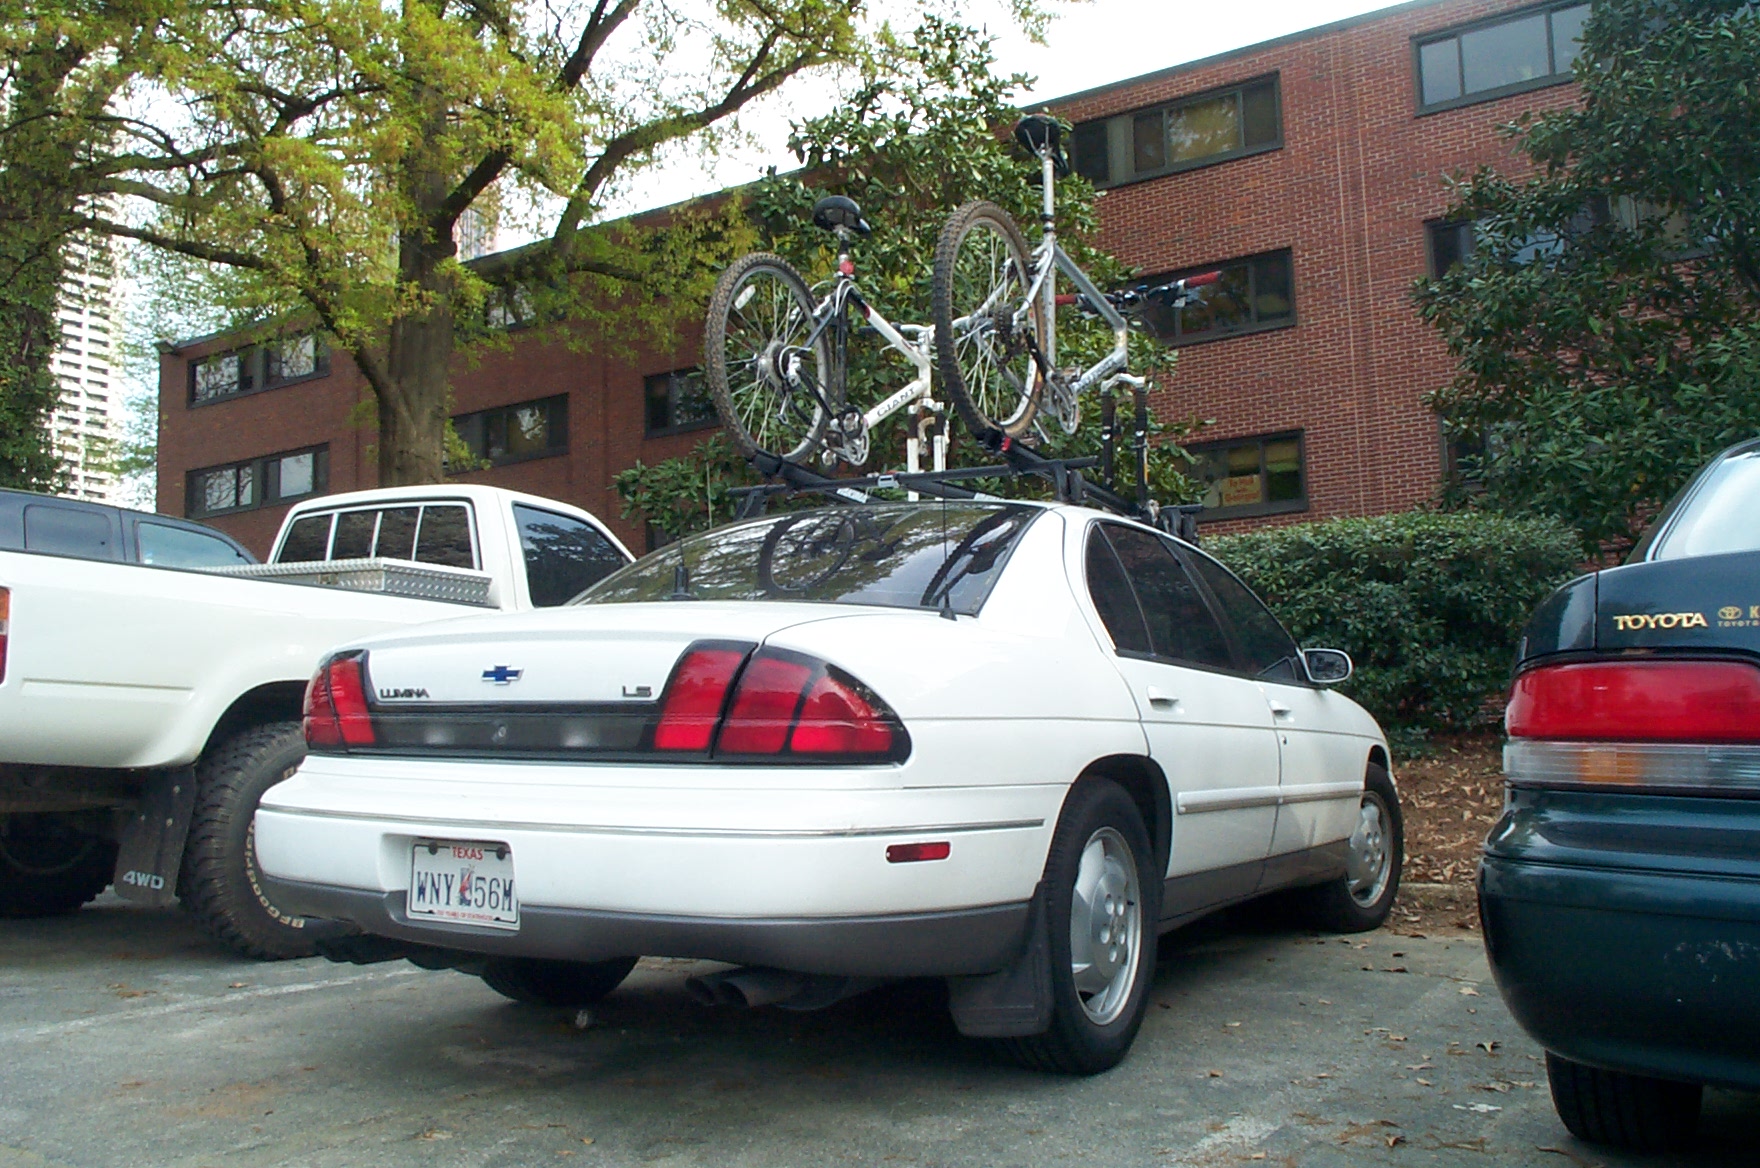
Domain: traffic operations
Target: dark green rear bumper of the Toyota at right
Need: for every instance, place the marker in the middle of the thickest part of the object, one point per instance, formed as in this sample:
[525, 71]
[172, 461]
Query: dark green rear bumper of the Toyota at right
[1641, 972]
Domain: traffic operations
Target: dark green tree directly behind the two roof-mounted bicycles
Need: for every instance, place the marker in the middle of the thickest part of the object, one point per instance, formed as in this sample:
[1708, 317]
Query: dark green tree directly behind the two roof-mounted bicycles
[909, 145]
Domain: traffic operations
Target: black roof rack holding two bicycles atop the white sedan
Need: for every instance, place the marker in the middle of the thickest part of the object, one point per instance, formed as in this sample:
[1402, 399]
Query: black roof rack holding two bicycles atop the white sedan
[1066, 478]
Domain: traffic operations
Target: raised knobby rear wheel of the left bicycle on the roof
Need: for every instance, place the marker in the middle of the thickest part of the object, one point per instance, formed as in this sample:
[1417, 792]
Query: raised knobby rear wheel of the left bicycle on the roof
[754, 339]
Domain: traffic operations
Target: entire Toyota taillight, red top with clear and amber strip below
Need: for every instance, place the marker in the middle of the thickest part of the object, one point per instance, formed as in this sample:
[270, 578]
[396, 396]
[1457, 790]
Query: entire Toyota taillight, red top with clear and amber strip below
[1689, 727]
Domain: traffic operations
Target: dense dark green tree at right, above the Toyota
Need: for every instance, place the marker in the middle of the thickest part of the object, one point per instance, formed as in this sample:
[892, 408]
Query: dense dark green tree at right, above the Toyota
[1608, 323]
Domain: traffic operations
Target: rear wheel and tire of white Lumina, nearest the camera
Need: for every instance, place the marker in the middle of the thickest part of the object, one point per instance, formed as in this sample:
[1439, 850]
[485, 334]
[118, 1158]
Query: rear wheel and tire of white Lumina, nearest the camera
[1103, 905]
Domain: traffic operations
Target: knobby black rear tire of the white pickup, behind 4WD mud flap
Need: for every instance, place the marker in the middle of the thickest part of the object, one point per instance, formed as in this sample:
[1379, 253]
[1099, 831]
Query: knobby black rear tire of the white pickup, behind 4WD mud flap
[219, 882]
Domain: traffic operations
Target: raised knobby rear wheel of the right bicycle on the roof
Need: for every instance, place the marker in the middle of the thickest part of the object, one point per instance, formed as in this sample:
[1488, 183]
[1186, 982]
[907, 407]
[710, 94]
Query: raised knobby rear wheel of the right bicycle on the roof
[979, 291]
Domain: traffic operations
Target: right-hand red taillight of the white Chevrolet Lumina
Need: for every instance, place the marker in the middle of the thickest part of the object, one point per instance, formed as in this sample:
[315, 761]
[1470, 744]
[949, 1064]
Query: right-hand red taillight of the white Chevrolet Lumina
[772, 704]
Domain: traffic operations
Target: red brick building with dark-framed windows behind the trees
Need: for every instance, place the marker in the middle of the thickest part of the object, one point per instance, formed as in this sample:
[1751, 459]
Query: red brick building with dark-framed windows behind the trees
[1310, 170]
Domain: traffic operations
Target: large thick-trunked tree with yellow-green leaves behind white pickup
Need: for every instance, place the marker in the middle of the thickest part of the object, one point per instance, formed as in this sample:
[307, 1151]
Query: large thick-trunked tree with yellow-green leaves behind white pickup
[319, 154]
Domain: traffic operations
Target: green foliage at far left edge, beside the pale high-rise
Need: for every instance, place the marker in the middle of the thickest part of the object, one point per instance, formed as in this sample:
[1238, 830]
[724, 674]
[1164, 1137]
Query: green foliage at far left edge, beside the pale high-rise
[61, 66]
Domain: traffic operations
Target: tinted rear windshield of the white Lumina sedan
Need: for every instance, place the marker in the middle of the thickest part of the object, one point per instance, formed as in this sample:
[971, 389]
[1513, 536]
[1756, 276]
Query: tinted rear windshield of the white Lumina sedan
[897, 557]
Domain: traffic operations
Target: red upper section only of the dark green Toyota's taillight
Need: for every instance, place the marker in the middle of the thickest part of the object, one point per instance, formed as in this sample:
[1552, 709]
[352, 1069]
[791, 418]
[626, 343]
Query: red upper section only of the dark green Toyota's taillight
[1638, 703]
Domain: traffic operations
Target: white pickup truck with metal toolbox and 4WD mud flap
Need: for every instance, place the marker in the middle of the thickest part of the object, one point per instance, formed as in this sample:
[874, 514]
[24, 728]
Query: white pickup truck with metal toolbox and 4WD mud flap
[143, 710]
